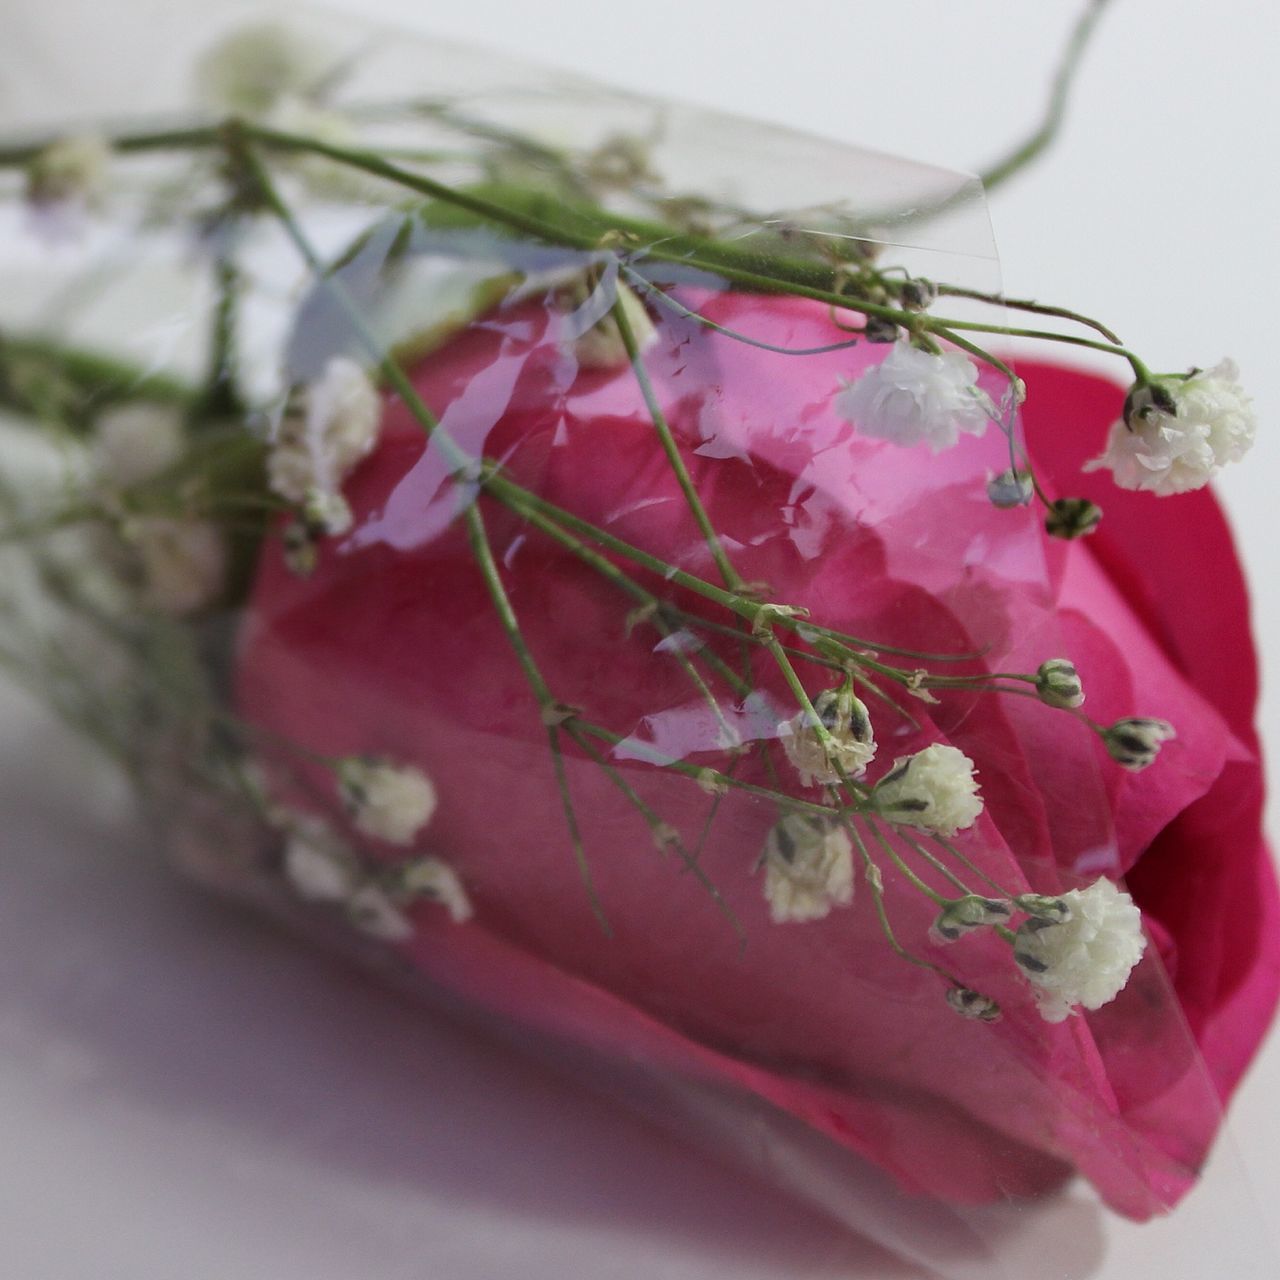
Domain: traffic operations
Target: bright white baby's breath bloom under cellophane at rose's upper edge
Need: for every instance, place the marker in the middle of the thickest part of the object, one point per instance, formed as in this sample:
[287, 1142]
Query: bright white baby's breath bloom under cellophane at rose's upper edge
[913, 397]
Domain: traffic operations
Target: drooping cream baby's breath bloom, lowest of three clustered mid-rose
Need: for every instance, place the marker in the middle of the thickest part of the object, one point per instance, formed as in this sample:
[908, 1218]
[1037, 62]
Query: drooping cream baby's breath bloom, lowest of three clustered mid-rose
[808, 868]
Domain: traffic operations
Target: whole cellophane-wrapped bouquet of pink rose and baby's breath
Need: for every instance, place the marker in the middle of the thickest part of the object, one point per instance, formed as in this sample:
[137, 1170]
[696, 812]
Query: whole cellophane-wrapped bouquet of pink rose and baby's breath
[630, 593]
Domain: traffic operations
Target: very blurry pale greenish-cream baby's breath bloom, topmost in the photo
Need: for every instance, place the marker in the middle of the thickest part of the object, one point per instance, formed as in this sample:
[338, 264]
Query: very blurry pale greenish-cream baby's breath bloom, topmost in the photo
[257, 67]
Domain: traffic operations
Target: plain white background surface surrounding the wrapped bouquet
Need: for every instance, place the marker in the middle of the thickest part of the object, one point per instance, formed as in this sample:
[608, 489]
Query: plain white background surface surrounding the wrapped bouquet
[186, 1095]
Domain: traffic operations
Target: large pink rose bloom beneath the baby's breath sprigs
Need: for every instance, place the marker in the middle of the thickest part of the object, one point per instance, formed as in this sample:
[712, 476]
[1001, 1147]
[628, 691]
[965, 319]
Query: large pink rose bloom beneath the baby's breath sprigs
[392, 648]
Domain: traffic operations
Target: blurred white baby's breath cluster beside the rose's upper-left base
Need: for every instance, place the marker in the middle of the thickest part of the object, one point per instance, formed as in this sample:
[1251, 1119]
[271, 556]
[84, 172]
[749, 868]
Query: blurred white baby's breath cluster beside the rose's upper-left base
[327, 428]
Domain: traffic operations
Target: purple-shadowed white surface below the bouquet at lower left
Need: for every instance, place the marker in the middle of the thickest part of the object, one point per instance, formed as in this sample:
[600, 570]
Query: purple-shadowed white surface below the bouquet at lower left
[184, 1086]
